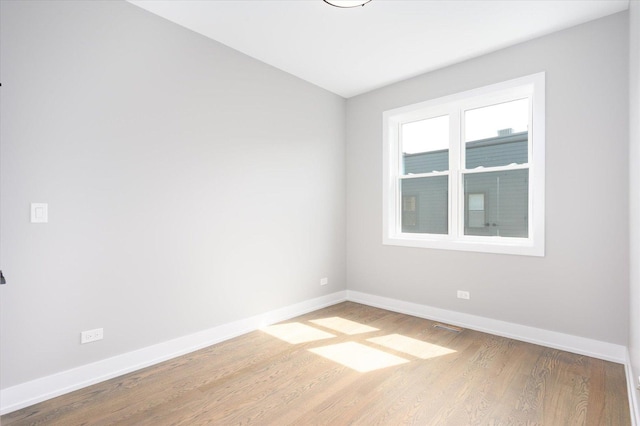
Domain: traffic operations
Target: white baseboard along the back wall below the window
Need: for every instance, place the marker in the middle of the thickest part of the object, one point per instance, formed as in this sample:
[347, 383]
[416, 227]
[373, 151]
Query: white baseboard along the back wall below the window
[580, 345]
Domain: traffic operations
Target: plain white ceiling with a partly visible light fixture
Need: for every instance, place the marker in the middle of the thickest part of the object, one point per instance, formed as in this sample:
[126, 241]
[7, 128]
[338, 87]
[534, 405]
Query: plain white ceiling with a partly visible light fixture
[352, 51]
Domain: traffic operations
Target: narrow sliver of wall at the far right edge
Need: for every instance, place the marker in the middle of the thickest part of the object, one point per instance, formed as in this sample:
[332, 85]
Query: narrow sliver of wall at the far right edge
[634, 190]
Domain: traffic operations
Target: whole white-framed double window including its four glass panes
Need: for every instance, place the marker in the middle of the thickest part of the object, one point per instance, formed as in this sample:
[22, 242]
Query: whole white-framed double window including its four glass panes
[466, 172]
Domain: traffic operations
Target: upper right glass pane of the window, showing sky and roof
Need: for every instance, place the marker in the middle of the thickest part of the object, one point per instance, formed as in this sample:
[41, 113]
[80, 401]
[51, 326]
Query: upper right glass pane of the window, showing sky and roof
[497, 135]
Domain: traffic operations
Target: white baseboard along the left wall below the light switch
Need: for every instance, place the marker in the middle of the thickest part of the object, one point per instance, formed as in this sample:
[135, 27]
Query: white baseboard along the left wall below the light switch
[29, 393]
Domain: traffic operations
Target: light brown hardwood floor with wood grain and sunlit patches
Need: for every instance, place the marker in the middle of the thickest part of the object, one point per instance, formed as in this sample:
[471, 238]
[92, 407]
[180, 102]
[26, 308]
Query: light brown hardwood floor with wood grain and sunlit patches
[363, 366]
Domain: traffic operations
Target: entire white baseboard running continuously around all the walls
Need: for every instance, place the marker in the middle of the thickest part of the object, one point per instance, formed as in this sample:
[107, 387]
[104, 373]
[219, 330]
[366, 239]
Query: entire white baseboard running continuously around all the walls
[29, 393]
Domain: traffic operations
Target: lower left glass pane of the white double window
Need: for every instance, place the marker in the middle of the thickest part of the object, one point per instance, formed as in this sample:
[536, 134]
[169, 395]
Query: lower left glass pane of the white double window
[425, 205]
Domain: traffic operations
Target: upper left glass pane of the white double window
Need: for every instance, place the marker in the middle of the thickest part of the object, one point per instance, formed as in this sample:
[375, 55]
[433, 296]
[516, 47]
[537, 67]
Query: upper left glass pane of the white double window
[425, 146]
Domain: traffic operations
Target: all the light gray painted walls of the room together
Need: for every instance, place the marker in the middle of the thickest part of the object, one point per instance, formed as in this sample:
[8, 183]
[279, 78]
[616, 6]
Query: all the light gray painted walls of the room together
[190, 186]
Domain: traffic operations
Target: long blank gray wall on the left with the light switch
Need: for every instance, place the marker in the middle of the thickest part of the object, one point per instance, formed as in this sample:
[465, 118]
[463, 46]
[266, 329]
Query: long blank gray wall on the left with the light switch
[188, 185]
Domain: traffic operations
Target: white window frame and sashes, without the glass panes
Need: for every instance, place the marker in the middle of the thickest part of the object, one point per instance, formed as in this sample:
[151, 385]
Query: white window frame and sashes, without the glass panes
[531, 87]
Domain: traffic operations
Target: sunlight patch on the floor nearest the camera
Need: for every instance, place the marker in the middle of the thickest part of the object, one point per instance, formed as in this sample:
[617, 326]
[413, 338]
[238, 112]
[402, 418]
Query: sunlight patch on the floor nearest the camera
[358, 357]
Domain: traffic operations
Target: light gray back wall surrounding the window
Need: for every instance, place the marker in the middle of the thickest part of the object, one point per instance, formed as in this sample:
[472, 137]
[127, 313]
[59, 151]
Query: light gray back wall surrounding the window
[581, 286]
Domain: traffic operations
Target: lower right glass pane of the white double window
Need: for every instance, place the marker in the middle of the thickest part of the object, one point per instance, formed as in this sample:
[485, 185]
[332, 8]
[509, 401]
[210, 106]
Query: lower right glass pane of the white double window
[497, 204]
